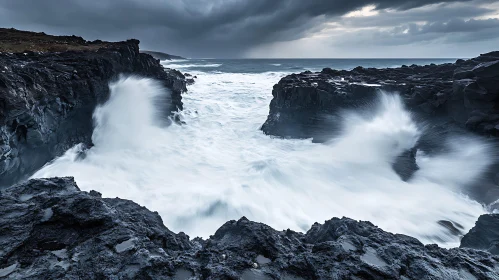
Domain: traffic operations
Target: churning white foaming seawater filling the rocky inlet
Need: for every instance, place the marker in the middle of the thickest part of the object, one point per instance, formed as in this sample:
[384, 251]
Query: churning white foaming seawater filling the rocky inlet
[219, 166]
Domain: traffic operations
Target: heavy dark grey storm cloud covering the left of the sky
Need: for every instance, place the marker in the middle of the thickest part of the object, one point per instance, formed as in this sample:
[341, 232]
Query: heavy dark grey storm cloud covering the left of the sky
[196, 27]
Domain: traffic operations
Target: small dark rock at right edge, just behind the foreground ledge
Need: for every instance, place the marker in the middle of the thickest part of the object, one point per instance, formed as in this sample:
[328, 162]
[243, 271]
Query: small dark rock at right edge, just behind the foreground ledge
[484, 235]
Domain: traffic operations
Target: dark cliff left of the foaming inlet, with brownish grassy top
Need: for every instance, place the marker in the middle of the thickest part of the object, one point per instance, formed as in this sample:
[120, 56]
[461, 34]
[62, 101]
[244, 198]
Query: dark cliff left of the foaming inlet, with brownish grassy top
[49, 91]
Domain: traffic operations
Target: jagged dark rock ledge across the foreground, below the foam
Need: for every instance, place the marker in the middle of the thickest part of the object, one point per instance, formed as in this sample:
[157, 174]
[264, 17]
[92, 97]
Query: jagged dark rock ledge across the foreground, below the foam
[49, 229]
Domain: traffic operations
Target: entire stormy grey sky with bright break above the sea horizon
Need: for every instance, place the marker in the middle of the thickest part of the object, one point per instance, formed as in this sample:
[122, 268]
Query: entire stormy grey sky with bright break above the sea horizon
[272, 28]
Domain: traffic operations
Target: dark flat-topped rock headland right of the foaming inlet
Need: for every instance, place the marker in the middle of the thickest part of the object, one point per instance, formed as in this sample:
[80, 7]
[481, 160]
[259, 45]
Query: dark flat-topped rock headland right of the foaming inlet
[465, 92]
